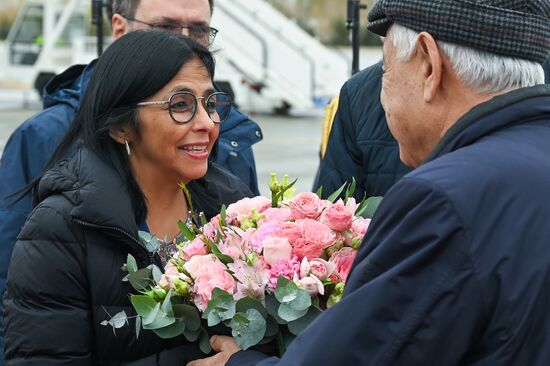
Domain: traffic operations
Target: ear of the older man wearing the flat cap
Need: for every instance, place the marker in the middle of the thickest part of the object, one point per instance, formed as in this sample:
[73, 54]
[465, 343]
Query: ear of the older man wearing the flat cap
[431, 65]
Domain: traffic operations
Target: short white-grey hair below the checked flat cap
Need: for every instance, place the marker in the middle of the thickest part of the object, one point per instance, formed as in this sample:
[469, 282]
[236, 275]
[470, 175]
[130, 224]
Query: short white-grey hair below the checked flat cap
[486, 72]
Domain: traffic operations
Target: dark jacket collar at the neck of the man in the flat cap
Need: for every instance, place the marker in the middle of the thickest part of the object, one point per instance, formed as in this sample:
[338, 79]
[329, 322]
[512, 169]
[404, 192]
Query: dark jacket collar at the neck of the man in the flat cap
[505, 110]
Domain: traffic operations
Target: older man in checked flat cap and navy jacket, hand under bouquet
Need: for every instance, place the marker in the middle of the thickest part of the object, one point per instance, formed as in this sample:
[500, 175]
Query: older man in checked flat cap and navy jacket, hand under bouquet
[455, 268]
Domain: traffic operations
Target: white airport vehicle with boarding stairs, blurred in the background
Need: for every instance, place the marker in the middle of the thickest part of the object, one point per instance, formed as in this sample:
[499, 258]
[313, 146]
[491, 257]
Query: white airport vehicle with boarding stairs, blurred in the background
[265, 59]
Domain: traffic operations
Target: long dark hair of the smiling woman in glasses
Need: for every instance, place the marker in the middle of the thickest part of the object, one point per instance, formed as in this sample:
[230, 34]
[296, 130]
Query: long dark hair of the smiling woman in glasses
[132, 69]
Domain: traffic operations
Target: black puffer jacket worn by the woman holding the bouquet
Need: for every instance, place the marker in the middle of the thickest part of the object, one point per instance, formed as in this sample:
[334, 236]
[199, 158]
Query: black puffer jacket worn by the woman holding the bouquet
[65, 274]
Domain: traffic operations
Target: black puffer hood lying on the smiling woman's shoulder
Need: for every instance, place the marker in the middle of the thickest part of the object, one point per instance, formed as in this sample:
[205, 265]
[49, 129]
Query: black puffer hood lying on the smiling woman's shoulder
[98, 194]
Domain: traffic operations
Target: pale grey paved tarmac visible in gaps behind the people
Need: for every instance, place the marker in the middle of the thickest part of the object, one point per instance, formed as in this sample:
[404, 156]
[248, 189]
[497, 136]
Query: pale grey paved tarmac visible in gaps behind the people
[290, 144]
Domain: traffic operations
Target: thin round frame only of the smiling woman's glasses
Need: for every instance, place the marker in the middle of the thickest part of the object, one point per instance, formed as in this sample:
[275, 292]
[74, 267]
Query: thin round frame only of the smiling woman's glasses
[205, 101]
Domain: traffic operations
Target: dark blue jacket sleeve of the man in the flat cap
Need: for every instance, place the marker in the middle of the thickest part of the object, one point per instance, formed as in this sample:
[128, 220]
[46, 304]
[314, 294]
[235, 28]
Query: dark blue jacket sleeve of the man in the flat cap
[412, 297]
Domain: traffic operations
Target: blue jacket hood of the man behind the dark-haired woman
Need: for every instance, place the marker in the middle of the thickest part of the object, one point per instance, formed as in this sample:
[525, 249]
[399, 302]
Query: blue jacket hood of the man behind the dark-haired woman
[68, 87]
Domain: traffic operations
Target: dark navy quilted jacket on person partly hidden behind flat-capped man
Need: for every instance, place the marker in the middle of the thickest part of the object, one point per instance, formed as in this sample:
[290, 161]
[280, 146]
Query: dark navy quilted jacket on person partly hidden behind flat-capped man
[360, 144]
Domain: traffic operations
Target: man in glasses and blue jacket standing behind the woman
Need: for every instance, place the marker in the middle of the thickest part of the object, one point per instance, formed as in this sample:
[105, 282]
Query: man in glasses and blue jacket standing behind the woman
[32, 143]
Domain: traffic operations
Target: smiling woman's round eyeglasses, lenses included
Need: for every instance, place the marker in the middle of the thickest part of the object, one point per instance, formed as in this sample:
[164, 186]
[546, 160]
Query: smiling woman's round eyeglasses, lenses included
[182, 106]
